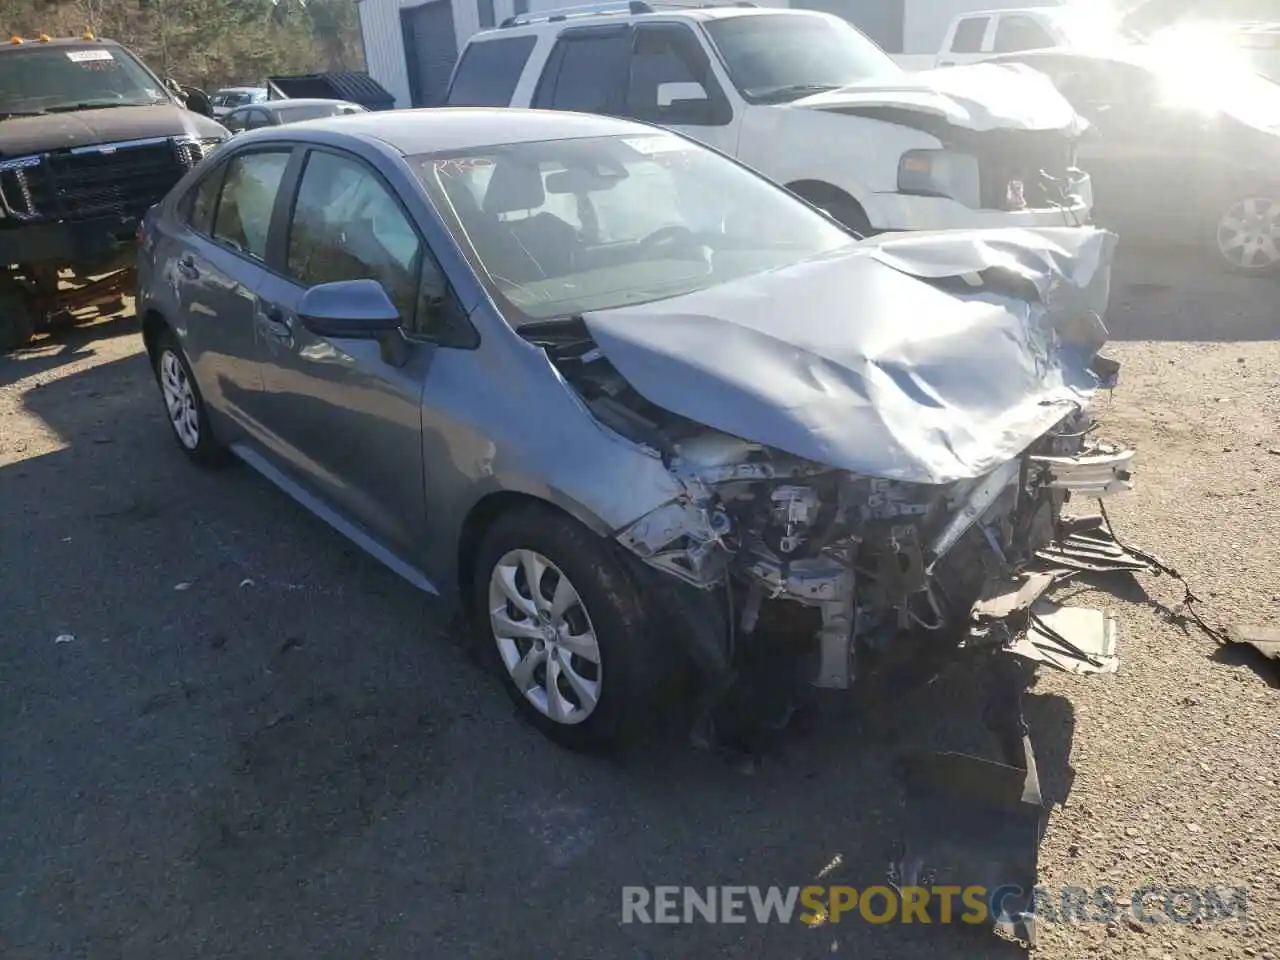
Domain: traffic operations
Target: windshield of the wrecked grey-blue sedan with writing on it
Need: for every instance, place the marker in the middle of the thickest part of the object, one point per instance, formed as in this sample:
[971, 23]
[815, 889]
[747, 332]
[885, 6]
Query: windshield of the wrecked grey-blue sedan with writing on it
[564, 227]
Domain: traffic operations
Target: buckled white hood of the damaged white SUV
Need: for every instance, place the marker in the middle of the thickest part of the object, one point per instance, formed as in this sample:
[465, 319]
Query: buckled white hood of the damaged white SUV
[979, 98]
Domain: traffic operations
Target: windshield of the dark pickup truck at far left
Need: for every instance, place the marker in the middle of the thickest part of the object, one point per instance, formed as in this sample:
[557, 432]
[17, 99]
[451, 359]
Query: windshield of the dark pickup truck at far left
[52, 79]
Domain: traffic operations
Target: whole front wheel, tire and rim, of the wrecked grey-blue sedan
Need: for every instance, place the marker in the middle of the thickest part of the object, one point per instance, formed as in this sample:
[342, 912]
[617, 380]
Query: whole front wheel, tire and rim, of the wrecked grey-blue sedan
[565, 629]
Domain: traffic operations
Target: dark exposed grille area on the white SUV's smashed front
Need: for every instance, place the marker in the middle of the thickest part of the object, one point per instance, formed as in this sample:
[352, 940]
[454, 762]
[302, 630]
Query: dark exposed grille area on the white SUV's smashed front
[1026, 157]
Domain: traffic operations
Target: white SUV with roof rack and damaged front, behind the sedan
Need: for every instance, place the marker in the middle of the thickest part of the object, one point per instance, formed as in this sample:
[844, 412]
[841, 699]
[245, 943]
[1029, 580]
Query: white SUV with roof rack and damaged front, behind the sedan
[807, 100]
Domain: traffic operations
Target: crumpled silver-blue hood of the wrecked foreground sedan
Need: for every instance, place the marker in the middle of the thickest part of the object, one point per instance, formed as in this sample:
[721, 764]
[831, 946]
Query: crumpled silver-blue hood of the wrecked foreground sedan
[884, 359]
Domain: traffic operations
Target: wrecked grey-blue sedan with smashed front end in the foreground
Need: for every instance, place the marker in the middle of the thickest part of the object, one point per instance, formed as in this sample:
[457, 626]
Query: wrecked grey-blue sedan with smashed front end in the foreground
[636, 410]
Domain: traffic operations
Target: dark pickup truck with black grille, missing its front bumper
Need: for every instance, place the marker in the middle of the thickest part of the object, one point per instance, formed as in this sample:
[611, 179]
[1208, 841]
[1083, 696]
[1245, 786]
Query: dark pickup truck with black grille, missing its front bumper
[90, 139]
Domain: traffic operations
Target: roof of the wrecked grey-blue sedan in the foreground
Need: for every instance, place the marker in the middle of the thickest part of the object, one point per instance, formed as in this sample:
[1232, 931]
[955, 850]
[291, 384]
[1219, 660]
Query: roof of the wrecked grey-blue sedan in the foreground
[446, 129]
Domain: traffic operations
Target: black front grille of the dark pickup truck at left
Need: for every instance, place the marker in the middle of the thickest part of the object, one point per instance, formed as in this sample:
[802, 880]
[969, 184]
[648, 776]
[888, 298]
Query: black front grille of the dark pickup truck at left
[121, 184]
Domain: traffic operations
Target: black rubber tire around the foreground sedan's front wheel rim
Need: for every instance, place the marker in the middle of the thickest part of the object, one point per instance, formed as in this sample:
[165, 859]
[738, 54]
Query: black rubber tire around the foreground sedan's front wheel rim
[629, 655]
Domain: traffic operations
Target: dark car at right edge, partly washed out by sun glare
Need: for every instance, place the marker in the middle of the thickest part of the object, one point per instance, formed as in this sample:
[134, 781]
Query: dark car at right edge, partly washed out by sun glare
[1186, 150]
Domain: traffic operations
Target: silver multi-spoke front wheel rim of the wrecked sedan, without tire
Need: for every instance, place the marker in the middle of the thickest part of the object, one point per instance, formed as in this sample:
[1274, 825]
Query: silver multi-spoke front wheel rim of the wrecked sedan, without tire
[545, 637]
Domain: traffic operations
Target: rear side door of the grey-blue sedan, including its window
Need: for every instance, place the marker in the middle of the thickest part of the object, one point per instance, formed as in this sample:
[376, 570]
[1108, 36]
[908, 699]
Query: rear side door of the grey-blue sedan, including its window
[218, 272]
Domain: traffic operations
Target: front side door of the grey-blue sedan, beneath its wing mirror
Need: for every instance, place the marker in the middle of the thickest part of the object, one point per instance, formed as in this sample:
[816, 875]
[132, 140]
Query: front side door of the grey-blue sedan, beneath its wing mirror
[346, 423]
